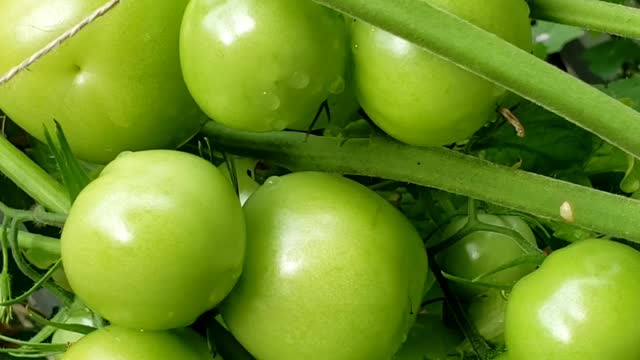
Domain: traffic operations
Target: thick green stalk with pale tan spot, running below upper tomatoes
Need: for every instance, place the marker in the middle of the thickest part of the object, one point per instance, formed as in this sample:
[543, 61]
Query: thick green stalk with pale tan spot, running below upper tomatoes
[442, 169]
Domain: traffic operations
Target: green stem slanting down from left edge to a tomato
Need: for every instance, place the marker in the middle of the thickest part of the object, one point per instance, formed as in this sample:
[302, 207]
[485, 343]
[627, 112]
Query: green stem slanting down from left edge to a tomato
[32, 179]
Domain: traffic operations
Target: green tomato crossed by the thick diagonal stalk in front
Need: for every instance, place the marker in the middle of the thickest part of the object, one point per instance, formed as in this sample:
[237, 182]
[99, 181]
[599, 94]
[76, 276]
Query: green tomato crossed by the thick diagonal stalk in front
[421, 99]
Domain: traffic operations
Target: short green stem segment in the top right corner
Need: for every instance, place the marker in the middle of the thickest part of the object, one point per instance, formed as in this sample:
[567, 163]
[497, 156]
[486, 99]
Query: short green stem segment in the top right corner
[595, 15]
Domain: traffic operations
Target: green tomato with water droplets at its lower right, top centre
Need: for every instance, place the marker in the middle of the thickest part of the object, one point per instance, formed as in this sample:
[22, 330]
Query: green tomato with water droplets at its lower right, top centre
[262, 65]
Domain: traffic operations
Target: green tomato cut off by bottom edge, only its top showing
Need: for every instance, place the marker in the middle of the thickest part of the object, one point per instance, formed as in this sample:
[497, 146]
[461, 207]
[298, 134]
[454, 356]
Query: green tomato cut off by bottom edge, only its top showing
[117, 343]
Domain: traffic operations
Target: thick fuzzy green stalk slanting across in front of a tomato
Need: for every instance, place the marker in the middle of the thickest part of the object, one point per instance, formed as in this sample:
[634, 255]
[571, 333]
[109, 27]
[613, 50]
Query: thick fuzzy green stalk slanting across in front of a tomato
[492, 58]
